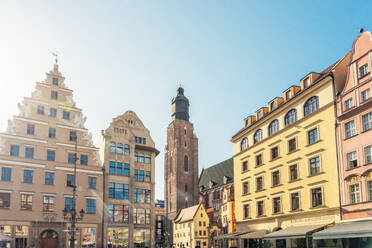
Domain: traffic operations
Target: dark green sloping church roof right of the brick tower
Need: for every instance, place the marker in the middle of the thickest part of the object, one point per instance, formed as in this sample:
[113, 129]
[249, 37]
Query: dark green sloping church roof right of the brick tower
[216, 174]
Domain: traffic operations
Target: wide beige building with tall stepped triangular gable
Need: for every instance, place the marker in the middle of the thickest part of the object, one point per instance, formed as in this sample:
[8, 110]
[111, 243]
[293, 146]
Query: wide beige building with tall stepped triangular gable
[37, 160]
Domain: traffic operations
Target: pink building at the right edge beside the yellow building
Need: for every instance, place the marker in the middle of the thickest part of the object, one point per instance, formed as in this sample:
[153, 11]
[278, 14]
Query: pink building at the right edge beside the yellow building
[355, 132]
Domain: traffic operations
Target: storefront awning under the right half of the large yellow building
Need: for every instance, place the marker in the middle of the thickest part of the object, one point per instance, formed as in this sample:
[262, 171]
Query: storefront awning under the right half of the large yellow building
[294, 232]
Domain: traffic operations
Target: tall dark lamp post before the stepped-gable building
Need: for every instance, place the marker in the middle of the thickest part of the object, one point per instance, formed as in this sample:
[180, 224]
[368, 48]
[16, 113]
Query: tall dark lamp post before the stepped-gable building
[71, 214]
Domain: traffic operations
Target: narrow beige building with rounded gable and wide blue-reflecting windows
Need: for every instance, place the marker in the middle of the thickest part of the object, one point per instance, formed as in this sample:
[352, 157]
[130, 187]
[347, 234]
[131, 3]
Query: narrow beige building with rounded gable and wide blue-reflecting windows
[128, 153]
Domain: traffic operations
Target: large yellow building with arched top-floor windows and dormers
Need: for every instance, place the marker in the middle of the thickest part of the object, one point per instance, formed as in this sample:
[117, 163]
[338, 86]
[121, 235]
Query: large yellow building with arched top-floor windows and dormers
[285, 164]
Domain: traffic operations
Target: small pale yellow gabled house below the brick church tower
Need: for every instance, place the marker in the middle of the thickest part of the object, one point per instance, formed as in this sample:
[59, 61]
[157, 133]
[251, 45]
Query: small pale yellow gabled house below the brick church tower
[190, 227]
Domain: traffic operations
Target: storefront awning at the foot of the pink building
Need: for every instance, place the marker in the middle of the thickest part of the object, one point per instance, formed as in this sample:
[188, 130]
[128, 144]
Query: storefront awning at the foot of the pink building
[355, 229]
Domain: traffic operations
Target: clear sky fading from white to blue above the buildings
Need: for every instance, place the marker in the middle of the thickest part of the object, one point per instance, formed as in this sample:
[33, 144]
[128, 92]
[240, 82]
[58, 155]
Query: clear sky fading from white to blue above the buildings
[231, 57]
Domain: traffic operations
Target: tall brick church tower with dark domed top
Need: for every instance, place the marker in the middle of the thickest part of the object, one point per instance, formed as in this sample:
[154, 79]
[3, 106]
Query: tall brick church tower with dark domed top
[181, 170]
